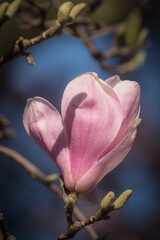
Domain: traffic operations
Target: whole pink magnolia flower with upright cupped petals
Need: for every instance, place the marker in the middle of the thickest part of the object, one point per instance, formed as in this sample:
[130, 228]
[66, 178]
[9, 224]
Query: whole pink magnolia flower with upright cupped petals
[95, 132]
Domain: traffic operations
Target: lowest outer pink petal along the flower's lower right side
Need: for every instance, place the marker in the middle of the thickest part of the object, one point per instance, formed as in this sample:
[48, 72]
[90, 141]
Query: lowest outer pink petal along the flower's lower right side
[107, 163]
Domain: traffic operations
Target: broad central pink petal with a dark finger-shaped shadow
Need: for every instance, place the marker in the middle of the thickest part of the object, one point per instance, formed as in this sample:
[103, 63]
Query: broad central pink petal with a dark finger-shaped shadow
[92, 117]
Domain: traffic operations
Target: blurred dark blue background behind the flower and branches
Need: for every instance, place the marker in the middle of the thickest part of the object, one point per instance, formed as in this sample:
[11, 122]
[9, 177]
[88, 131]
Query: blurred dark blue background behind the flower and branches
[33, 212]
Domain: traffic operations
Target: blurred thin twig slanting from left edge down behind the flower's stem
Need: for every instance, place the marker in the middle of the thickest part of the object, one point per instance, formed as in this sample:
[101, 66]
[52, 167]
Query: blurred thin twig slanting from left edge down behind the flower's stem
[37, 175]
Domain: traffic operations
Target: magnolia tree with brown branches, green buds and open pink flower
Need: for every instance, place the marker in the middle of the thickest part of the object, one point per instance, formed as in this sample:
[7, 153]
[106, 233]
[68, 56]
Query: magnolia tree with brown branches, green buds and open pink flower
[99, 118]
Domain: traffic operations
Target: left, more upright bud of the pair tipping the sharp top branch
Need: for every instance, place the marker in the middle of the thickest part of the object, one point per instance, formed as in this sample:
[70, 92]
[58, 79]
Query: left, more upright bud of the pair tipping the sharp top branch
[64, 11]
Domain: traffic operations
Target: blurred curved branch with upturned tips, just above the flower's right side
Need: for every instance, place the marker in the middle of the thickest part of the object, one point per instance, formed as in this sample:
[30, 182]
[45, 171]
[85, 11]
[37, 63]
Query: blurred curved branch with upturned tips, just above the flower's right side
[116, 51]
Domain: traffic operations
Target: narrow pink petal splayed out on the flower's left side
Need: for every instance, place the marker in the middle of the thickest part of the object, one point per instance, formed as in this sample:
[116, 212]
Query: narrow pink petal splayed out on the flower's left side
[44, 125]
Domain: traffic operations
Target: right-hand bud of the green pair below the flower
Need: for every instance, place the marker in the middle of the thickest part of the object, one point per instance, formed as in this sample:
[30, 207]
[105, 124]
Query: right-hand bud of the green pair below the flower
[122, 199]
